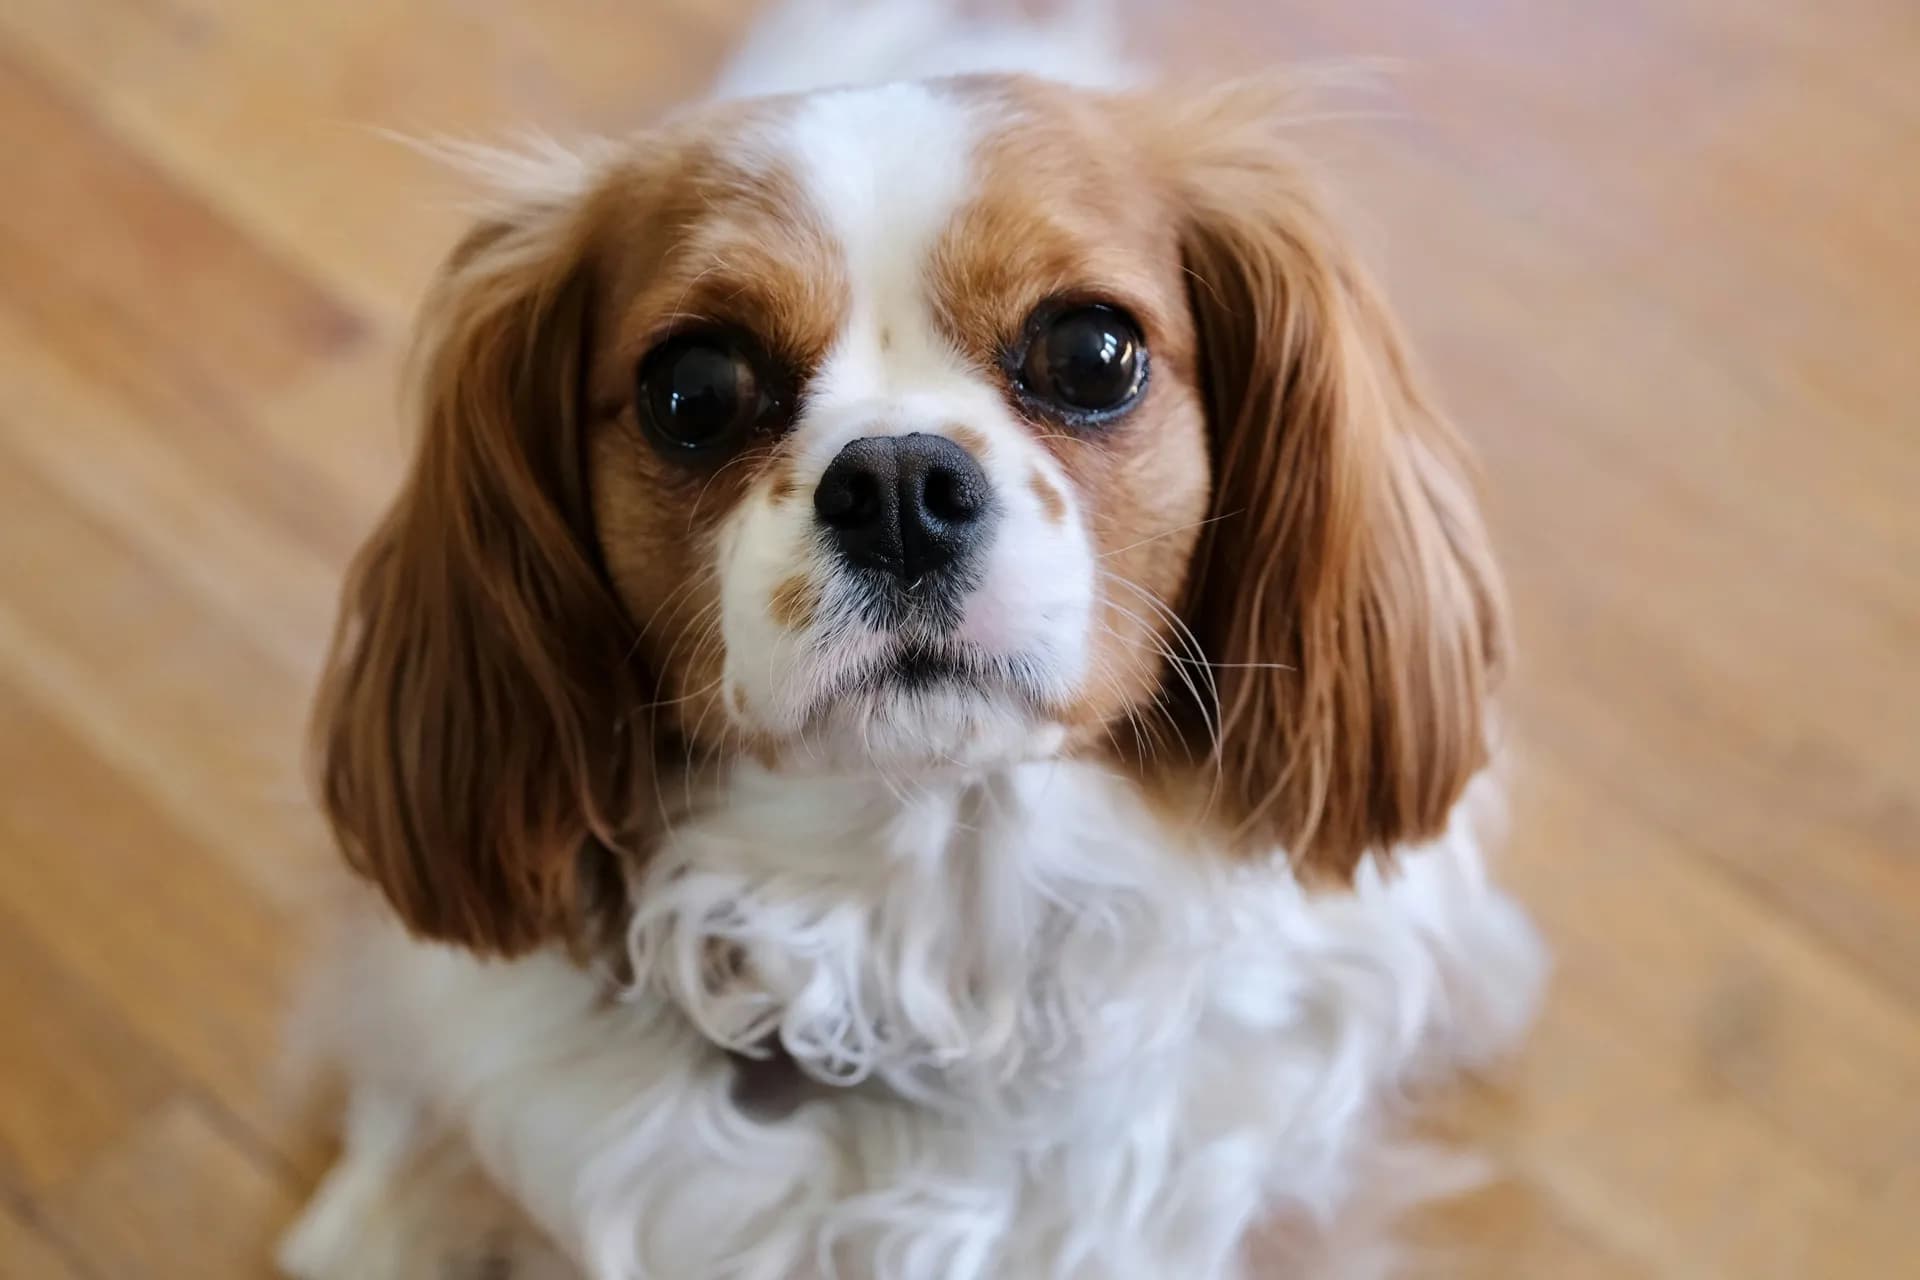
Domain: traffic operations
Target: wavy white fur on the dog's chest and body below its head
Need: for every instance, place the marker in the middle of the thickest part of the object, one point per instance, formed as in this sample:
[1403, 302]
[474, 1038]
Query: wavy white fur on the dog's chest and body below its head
[1061, 1041]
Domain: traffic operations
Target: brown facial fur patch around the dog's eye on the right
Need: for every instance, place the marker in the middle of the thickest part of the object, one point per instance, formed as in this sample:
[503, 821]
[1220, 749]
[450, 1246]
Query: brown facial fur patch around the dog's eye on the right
[1063, 214]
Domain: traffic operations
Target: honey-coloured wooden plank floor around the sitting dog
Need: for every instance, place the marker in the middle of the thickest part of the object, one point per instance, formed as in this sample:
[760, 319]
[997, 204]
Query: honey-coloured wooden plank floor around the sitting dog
[1662, 254]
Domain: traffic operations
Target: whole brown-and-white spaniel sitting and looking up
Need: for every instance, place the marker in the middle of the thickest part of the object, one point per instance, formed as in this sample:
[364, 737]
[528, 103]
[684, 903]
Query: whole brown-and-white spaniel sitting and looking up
[923, 711]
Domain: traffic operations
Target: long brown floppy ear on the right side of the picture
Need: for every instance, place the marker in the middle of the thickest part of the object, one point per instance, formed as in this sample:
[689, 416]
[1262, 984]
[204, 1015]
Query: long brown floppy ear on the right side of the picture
[1345, 588]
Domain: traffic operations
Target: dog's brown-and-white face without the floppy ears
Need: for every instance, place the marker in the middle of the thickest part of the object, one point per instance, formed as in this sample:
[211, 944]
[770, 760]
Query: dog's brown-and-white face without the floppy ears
[898, 452]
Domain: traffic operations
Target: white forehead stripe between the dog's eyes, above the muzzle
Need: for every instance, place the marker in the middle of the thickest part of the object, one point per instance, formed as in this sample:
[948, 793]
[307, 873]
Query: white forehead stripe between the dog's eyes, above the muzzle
[886, 170]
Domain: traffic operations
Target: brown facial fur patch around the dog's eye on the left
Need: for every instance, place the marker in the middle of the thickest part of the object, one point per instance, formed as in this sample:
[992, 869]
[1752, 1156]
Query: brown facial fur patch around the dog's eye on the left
[702, 235]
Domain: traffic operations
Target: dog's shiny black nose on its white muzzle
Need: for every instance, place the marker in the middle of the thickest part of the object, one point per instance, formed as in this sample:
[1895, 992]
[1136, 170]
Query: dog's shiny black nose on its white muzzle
[905, 506]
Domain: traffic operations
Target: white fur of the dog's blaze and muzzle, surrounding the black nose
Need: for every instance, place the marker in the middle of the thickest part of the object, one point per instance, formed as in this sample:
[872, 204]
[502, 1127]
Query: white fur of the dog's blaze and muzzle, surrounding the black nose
[884, 174]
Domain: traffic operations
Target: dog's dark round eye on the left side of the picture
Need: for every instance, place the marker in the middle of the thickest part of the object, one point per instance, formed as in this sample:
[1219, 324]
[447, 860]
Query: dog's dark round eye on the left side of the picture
[700, 392]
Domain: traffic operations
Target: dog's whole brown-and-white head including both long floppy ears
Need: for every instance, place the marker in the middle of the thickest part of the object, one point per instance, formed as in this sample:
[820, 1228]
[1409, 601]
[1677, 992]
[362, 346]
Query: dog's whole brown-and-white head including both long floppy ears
[907, 429]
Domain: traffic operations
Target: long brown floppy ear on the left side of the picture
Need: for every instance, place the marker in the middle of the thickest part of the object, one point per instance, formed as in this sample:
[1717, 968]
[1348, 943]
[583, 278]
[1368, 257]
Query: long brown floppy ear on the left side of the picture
[468, 726]
